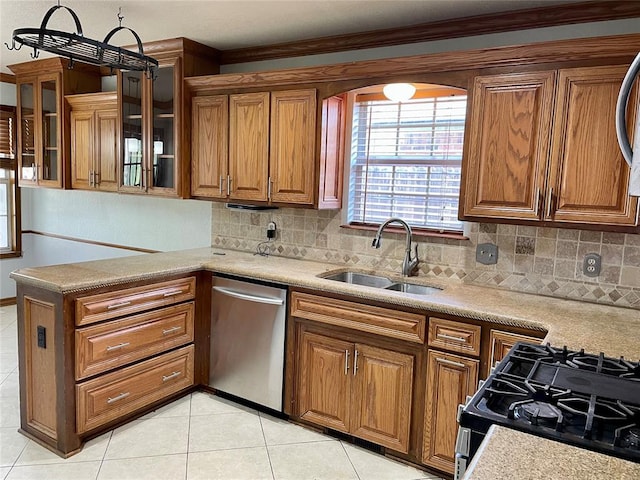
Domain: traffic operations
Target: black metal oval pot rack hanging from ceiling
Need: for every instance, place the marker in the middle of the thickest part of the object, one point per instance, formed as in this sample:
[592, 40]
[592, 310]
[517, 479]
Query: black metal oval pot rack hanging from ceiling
[77, 47]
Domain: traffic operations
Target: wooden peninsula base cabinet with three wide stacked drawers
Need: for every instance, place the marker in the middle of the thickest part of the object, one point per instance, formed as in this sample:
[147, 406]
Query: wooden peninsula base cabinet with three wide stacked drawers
[91, 360]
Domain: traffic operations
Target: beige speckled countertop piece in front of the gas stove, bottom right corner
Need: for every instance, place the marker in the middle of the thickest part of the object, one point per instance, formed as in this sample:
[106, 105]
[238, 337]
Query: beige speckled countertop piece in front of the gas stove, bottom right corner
[507, 454]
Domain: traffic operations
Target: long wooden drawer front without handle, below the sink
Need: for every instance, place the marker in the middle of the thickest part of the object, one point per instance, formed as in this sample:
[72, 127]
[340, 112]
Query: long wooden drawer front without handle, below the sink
[357, 316]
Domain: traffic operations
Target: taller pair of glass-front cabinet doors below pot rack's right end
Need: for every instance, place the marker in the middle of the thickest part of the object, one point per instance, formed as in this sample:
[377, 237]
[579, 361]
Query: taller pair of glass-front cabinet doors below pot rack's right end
[150, 163]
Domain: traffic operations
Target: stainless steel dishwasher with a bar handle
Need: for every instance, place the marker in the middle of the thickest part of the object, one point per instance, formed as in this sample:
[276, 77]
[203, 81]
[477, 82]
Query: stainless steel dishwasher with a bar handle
[247, 341]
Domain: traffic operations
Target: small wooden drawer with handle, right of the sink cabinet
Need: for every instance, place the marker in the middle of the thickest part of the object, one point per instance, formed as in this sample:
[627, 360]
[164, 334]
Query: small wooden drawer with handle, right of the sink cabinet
[454, 336]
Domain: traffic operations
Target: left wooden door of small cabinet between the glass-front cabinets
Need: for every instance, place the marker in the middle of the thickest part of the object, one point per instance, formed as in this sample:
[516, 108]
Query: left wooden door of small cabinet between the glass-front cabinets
[82, 128]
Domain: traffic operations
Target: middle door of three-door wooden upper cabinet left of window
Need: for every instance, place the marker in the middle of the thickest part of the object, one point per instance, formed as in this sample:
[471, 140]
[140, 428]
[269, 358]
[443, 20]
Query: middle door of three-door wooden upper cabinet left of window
[248, 146]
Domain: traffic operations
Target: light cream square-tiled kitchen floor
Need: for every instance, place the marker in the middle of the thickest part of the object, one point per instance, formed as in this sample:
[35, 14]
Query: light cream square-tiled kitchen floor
[198, 437]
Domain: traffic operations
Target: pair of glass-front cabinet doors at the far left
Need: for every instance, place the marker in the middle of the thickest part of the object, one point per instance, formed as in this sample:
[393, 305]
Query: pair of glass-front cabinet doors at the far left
[39, 139]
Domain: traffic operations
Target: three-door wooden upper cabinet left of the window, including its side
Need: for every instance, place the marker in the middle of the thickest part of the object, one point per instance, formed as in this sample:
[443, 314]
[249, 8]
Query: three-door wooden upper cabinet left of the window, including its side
[266, 147]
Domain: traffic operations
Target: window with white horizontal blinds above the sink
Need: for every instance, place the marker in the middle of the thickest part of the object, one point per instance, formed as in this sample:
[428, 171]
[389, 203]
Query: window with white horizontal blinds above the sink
[406, 159]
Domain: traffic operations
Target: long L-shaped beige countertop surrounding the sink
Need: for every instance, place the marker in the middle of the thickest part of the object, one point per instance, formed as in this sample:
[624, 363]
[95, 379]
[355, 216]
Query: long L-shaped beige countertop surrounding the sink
[596, 328]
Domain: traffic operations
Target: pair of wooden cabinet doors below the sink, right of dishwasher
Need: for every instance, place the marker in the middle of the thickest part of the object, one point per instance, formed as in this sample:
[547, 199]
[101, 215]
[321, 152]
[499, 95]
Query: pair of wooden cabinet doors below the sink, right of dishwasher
[355, 388]
